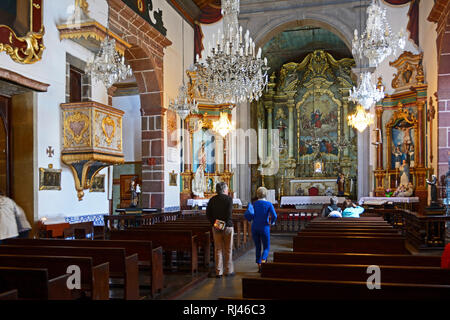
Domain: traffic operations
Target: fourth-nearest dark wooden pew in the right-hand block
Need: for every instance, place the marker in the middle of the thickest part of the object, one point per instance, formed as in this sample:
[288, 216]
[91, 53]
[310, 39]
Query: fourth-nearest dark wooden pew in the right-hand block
[350, 244]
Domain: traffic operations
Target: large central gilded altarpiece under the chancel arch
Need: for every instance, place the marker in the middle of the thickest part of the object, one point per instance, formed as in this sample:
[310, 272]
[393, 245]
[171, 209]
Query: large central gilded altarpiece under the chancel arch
[302, 128]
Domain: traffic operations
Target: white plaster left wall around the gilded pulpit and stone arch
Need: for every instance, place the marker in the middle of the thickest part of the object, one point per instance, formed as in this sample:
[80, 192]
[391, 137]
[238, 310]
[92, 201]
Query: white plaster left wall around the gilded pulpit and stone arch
[52, 70]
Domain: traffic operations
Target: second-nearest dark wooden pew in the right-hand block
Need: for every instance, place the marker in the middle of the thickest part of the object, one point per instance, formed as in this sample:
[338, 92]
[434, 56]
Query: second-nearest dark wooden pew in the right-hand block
[340, 272]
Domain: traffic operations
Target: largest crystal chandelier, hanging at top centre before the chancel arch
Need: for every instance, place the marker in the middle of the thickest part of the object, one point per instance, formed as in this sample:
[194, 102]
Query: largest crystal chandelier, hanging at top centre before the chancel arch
[232, 71]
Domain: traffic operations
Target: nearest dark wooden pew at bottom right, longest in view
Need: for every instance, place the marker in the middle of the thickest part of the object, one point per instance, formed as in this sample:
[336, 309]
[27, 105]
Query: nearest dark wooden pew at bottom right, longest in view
[289, 289]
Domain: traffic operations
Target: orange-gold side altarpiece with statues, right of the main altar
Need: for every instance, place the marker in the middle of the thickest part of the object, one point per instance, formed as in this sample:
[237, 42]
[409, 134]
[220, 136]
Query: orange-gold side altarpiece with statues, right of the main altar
[401, 118]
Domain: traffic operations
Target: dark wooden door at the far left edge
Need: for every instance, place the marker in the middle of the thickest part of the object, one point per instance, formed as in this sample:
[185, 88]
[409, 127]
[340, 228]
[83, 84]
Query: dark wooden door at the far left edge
[5, 186]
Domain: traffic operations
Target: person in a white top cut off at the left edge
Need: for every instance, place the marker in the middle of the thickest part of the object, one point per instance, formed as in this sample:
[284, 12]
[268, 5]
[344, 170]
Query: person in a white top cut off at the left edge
[13, 222]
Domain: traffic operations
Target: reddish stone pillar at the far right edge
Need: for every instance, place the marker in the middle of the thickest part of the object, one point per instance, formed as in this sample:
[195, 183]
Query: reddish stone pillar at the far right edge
[440, 14]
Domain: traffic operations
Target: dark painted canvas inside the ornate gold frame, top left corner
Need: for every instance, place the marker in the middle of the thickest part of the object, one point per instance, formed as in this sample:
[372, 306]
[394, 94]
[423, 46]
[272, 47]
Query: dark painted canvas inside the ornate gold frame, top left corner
[15, 14]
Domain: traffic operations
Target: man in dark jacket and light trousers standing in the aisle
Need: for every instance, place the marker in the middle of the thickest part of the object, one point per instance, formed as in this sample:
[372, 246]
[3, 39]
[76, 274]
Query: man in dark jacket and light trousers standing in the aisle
[220, 207]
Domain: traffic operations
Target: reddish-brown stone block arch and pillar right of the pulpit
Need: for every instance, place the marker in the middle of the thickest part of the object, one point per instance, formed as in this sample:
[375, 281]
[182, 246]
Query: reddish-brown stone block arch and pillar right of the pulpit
[146, 58]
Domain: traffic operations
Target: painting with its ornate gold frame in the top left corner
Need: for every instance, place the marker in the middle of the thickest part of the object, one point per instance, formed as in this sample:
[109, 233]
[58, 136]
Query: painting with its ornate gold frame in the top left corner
[22, 30]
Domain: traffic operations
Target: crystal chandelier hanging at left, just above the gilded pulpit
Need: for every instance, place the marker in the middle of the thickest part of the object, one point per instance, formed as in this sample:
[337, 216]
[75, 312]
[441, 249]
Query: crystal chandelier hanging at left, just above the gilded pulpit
[107, 66]
